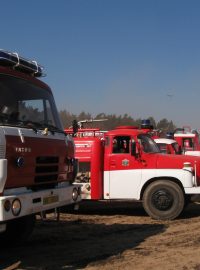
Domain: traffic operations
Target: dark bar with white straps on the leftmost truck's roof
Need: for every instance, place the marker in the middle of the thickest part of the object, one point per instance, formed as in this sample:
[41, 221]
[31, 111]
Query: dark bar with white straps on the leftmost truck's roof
[19, 63]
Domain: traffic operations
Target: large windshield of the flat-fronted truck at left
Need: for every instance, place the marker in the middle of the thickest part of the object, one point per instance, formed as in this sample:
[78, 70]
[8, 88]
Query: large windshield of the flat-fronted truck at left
[24, 103]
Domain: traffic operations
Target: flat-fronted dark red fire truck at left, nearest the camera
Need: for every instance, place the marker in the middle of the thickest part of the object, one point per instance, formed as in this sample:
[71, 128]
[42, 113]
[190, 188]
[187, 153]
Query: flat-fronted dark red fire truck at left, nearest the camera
[37, 165]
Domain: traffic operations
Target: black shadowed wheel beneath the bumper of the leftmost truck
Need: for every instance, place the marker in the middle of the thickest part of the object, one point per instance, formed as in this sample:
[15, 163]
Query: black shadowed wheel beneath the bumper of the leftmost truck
[18, 230]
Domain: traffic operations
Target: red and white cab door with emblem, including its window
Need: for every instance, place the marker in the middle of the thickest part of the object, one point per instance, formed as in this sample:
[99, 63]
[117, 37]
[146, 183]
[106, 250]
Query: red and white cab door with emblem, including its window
[124, 170]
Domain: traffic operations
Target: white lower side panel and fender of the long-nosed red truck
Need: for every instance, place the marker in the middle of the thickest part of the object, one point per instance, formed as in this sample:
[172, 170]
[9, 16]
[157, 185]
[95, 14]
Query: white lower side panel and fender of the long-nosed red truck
[128, 184]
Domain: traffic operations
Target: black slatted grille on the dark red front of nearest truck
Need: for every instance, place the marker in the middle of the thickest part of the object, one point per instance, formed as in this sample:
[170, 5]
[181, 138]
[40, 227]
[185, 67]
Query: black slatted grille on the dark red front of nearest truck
[46, 169]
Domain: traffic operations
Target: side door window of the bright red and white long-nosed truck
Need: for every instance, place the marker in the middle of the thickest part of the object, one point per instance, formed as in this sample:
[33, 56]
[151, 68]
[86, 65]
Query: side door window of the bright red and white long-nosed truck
[121, 144]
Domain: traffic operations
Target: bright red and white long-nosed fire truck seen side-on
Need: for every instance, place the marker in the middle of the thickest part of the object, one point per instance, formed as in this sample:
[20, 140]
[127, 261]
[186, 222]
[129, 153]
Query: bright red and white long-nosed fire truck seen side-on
[126, 164]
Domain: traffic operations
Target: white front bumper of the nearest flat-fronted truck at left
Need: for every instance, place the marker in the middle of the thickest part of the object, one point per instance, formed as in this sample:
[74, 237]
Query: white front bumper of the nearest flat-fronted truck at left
[36, 202]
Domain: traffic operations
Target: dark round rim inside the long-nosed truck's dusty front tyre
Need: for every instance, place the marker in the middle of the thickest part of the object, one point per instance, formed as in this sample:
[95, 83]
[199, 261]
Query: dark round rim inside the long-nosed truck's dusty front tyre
[162, 200]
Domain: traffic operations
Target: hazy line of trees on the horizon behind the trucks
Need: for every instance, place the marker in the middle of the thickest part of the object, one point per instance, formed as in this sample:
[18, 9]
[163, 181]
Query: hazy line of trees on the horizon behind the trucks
[110, 121]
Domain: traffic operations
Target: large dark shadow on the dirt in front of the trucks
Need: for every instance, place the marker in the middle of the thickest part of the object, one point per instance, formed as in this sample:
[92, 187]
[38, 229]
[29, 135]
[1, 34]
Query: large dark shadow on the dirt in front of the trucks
[75, 244]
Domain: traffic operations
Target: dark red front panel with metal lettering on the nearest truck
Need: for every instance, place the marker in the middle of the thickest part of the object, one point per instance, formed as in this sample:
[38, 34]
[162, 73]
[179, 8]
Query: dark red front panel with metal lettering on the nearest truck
[34, 147]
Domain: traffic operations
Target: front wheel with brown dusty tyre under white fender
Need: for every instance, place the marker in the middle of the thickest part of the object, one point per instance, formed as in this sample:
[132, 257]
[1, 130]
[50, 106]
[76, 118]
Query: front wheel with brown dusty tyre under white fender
[163, 200]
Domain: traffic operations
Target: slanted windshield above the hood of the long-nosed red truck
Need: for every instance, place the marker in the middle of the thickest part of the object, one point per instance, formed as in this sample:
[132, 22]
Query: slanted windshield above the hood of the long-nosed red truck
[148, 145]
